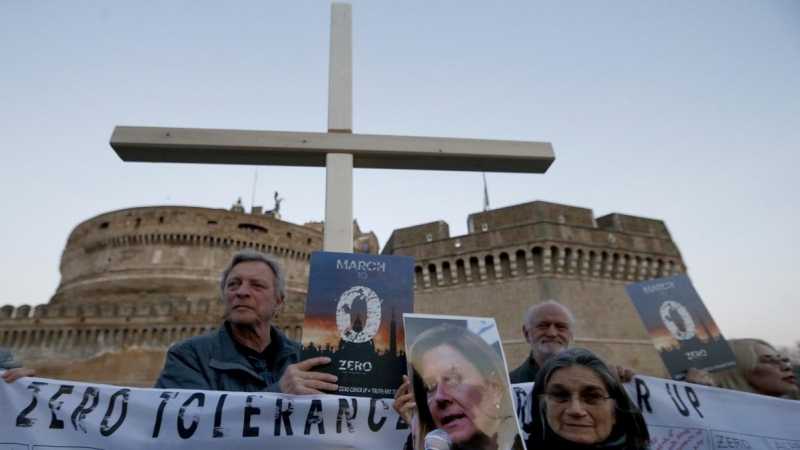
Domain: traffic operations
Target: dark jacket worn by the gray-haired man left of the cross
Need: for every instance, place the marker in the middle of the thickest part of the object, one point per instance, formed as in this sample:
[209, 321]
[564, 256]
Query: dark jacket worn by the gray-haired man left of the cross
[211, 362]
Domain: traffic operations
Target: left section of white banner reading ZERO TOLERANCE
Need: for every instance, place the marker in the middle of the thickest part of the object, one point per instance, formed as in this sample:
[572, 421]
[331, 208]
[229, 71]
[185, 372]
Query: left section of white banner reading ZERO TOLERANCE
[47, 414]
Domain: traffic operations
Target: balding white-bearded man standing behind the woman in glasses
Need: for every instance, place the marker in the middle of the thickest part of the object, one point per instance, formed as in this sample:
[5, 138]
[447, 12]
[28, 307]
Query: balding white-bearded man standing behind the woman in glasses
[548, 330]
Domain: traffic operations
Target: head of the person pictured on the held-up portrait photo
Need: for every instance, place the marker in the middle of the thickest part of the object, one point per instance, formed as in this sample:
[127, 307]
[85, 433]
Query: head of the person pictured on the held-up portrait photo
[460, 386]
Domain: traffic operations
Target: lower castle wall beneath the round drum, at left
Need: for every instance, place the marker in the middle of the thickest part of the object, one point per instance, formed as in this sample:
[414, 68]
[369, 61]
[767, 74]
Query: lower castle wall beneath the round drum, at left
[93, 341]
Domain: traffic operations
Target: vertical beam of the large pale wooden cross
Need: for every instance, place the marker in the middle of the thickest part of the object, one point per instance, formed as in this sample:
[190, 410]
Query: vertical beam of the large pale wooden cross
[338, 236]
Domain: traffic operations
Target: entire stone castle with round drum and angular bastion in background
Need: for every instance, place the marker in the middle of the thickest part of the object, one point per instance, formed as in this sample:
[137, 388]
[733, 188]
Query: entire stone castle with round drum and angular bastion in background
[137, 280]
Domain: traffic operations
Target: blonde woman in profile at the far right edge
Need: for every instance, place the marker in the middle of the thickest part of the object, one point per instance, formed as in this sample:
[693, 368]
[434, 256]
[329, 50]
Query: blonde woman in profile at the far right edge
[762, 370]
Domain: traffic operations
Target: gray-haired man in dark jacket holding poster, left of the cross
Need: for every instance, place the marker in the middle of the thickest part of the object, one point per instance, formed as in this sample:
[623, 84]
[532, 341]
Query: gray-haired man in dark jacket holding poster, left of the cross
[247, 353]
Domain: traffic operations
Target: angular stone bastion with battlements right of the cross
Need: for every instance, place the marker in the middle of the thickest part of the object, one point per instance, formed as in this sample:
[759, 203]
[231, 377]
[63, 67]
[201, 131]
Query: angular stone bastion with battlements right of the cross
[515, 257]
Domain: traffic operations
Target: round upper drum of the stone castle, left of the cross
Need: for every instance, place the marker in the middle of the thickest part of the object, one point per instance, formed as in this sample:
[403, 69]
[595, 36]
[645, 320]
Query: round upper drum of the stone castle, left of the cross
[175, 252]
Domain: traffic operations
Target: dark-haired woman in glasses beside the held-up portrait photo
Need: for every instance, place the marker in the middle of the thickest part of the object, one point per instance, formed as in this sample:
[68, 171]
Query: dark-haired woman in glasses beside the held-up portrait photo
[582, 405]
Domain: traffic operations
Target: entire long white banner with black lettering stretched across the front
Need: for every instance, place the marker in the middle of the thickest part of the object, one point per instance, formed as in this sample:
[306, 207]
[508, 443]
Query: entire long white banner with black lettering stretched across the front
[48, 414]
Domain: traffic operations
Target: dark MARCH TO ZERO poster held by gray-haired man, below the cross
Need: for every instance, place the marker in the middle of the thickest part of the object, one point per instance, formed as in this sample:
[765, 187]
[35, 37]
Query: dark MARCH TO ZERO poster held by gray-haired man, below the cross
[354, 316]
